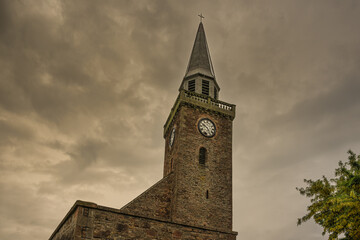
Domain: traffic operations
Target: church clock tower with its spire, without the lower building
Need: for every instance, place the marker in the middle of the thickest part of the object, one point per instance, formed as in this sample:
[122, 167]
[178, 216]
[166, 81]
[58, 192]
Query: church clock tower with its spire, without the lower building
[198, 146]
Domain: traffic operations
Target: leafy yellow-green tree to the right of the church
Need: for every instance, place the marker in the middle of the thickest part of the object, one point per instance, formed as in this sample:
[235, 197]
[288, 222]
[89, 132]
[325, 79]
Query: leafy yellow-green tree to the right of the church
[335, 203]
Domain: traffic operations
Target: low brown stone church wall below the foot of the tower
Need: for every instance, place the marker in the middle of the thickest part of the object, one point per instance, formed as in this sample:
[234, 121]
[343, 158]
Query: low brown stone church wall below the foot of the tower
[102, 223]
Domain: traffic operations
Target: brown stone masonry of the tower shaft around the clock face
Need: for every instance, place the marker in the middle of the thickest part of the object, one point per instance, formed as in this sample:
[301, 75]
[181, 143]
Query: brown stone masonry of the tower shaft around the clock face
[190, 202]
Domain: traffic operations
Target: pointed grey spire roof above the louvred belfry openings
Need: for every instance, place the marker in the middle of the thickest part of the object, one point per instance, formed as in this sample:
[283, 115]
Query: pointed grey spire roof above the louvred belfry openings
[200, 61]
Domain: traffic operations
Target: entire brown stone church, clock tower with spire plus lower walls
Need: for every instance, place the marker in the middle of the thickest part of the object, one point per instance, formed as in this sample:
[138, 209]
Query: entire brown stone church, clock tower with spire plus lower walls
[193, 200]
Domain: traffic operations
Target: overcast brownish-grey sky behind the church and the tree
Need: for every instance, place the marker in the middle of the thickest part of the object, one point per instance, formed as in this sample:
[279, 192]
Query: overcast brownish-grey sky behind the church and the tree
[86, 87]
